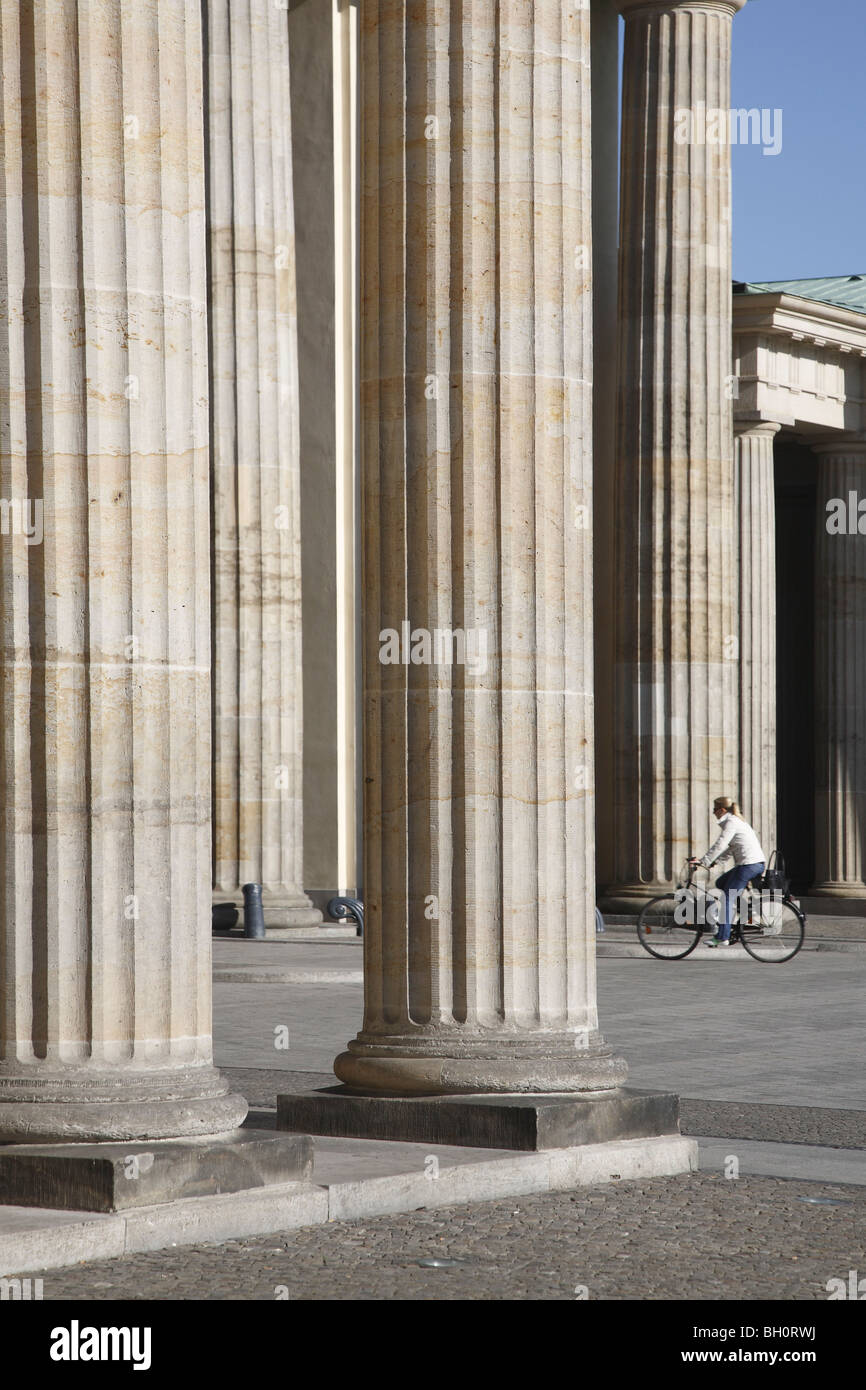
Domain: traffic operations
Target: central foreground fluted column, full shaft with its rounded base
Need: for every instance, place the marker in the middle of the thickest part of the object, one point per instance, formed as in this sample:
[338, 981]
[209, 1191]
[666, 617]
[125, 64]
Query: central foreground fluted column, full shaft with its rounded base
[476, 414]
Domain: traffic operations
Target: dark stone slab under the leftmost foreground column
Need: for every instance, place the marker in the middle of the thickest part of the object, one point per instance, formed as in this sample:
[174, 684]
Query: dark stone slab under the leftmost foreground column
[112, 1178]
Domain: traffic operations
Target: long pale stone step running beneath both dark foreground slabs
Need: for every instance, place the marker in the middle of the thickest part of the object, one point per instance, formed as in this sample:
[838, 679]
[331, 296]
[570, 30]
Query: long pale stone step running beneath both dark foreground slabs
[33, 1241]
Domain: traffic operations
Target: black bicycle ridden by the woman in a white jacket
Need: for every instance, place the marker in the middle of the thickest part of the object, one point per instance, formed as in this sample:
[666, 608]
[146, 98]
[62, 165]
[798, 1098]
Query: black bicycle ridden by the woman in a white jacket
[771, 926]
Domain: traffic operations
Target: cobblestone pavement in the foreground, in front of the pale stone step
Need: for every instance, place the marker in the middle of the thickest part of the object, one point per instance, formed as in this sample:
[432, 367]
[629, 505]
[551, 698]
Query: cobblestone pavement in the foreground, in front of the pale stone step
[696, 1236]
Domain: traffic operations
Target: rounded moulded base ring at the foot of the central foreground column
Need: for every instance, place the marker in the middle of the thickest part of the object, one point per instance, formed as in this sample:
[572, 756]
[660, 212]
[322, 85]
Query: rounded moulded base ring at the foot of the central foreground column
[557, 1064]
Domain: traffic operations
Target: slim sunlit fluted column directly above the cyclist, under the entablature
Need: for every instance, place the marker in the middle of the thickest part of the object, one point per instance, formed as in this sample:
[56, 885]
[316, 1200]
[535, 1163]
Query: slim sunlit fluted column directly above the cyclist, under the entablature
[755, 511]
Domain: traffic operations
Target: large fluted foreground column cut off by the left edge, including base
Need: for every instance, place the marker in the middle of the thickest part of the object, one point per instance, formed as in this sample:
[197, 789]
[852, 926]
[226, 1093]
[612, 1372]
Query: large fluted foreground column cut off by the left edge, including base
[105, 774]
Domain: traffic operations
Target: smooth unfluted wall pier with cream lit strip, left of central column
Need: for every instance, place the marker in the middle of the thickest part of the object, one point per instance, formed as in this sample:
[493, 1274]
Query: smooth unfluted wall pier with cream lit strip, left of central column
[325, 155]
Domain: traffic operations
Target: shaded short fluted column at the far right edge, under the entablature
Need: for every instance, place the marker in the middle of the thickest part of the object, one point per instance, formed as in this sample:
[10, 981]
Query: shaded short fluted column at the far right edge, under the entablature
[840, 689]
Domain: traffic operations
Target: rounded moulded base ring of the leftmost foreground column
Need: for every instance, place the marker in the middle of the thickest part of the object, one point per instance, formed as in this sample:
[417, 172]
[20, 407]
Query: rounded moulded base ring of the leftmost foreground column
[87, 1107]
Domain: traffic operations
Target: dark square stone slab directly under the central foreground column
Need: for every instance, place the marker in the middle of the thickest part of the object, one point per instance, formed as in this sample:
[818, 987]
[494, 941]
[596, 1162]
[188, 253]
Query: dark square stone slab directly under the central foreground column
[515, 1122]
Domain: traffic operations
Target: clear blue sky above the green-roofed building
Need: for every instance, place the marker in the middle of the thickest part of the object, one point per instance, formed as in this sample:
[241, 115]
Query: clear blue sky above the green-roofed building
[803, 212]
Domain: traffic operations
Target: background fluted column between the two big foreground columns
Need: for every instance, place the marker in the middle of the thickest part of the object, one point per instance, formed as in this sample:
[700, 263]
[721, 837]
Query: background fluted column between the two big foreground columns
[256, 462]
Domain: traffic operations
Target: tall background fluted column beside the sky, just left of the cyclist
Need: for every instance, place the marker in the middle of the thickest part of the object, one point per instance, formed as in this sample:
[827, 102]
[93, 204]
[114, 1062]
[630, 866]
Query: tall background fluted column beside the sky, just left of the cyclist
[676, 626]
